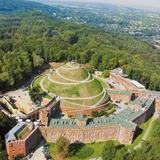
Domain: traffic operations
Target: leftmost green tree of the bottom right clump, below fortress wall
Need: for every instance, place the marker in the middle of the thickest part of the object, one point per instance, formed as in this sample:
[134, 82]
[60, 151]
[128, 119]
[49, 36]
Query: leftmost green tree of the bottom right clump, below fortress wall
[109, 151]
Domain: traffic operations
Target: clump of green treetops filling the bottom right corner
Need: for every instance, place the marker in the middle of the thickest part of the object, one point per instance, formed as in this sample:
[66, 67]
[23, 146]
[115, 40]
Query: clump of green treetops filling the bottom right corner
[149, 149]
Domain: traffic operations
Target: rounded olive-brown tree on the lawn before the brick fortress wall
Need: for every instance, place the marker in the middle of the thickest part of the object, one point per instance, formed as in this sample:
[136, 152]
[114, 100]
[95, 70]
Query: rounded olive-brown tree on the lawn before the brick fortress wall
[62, 146]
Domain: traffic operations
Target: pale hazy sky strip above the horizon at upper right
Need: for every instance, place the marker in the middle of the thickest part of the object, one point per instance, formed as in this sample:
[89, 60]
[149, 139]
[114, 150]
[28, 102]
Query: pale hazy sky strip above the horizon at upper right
[145, 3]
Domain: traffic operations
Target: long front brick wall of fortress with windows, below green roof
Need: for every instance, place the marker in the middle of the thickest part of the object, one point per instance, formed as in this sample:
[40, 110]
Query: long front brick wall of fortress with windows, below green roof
[89, 134]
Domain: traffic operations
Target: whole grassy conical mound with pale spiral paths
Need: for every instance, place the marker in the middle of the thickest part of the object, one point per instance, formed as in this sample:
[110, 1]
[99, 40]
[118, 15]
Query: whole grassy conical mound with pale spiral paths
[75, 85]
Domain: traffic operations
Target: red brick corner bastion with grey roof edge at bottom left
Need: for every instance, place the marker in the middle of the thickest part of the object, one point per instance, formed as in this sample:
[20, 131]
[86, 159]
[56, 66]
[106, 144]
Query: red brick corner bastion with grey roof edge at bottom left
[21, 147]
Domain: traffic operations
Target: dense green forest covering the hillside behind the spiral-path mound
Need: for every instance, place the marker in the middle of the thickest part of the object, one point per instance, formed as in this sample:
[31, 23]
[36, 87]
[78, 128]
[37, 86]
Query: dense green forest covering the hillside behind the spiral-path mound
[30, 40]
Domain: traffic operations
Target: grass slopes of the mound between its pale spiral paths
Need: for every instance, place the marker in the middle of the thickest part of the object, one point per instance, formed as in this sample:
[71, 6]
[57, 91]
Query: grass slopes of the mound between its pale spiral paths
[82, 90]
